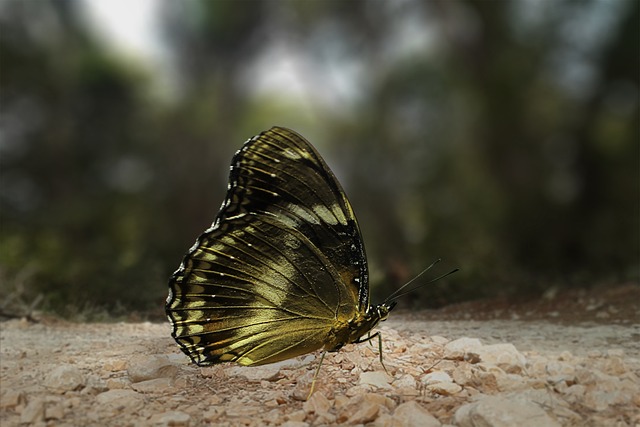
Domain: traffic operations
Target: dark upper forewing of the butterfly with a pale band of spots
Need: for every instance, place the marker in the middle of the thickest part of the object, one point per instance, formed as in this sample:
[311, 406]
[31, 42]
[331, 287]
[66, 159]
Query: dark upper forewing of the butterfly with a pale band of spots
[279, 173]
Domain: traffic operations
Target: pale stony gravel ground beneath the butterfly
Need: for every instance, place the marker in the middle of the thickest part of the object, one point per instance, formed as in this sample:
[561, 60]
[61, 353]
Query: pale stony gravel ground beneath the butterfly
[570, 358]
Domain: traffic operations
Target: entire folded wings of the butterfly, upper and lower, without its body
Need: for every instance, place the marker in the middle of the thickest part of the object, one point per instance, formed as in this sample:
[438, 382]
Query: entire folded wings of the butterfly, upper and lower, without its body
[282, 266]
